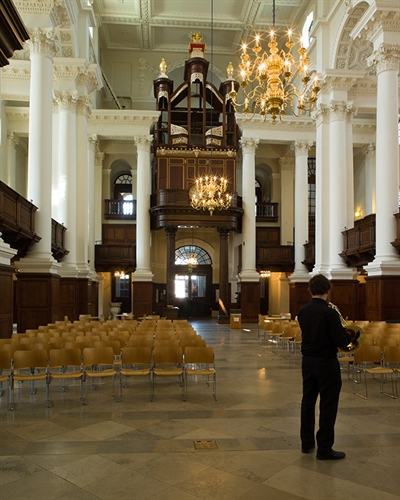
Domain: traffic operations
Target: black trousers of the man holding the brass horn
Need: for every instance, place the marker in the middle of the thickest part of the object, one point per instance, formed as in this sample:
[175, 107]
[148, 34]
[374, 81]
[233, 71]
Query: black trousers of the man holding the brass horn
[321, 376]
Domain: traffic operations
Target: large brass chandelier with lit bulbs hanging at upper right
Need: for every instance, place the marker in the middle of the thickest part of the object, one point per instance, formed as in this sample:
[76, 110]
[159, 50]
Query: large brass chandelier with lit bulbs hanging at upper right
[267, 78]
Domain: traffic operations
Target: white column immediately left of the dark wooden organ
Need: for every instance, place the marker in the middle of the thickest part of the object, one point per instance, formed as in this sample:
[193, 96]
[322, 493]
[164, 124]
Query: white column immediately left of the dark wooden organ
[143, 244]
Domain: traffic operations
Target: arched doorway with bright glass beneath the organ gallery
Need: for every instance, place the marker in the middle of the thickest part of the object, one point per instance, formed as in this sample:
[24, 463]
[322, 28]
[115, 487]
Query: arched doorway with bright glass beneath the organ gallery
[193, 282]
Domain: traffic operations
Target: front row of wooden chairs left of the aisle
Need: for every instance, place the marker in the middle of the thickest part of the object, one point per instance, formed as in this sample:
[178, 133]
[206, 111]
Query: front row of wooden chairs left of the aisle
[99, 362]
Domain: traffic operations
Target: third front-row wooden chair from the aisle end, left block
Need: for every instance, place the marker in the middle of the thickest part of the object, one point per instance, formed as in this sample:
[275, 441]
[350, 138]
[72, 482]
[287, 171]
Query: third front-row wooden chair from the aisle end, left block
[137, 362]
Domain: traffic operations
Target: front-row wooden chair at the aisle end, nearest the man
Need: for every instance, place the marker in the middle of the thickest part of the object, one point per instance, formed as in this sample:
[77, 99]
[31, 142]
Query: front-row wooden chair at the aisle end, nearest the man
[199, 361]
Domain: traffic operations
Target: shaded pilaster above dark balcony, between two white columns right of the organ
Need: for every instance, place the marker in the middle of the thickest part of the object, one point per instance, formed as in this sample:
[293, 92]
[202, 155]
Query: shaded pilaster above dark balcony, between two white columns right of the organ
[287, 193]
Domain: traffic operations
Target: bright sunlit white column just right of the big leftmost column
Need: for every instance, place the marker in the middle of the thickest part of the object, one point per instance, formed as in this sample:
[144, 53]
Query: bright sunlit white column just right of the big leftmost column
[67, 193]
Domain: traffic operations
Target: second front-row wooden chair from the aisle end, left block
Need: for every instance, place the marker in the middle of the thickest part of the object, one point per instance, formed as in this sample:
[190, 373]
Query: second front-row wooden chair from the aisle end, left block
[168, 362]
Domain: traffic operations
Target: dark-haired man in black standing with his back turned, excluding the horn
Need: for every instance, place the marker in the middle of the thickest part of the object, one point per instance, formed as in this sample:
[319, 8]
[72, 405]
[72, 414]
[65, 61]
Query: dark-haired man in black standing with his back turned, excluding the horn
[322, 334]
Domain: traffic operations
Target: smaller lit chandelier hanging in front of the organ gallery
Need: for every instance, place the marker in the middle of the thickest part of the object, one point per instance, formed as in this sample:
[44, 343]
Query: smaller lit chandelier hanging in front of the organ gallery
[209, 193]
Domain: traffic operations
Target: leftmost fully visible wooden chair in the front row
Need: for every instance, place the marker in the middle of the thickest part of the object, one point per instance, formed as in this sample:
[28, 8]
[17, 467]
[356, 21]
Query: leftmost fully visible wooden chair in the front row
[33, 361]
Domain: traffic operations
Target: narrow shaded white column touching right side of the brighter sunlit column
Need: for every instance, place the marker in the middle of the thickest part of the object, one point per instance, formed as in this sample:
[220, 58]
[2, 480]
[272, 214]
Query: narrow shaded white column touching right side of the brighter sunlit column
[82, 187]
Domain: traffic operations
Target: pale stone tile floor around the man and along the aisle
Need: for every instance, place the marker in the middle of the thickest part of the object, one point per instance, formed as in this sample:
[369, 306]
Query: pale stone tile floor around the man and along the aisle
[141, 450]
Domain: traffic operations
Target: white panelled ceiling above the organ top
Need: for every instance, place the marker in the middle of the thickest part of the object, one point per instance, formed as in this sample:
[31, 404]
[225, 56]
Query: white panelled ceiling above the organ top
[166, 25]
